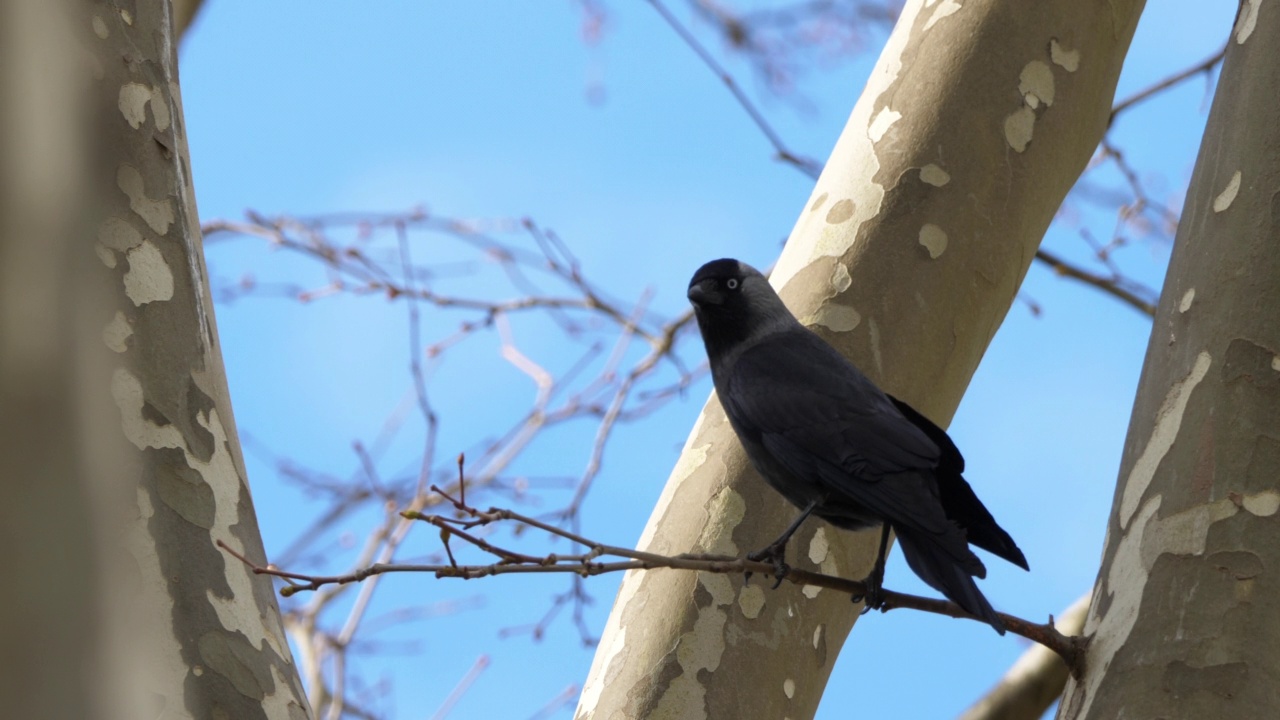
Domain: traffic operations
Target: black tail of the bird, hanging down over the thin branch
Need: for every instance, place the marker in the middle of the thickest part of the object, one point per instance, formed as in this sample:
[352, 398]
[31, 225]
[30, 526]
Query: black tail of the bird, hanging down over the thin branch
[939, 566]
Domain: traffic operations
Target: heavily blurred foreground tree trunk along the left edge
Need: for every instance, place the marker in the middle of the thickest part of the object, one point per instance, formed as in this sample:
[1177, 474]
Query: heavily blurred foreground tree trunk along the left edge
[49, 626]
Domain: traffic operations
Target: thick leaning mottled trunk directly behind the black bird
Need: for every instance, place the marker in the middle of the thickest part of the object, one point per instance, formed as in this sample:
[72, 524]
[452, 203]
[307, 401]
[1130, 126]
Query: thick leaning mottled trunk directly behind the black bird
[908, 256]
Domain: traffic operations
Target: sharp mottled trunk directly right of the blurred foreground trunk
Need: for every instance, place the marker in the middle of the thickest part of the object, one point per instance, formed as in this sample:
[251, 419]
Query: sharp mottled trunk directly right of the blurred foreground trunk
[204, 630]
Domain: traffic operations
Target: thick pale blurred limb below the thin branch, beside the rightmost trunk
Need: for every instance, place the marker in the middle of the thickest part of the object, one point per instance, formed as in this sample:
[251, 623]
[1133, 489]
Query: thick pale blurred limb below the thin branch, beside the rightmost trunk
[1035, 681]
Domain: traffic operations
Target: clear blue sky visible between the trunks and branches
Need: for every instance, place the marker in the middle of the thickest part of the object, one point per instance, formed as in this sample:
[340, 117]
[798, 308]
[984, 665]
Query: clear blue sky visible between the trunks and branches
[492, 111]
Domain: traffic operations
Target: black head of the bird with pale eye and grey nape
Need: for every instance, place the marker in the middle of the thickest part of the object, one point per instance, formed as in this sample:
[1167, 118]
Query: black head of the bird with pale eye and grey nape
[734, 302]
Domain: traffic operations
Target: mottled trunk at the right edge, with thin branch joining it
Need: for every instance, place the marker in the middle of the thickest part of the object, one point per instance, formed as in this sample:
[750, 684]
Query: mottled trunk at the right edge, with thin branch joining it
[1186, 618]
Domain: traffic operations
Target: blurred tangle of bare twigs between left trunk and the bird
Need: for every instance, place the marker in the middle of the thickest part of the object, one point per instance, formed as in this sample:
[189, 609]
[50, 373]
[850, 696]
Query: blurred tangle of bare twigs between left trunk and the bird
[403, 258]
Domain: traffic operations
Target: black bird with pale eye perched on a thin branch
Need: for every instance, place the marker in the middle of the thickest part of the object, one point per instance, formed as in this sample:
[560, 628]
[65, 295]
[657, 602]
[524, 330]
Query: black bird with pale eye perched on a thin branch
[836, 446]
